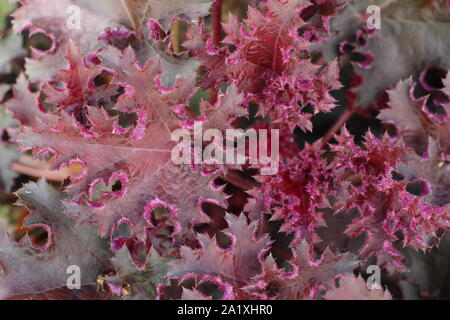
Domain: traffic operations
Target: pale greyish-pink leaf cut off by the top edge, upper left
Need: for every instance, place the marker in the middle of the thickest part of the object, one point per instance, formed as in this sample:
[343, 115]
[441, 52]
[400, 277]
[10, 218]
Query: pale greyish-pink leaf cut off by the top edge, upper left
[62, 21]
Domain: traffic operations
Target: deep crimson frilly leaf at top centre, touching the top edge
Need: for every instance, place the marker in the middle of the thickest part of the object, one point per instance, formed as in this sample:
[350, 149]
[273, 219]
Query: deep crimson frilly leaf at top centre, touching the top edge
[265, 63]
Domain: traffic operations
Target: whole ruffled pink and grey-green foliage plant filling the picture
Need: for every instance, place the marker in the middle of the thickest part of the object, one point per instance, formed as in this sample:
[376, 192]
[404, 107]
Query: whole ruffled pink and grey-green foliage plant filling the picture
[98, 104]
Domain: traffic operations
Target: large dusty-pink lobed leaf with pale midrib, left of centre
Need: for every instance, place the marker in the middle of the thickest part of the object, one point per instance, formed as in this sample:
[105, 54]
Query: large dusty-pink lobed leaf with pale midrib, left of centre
[142, 155]
